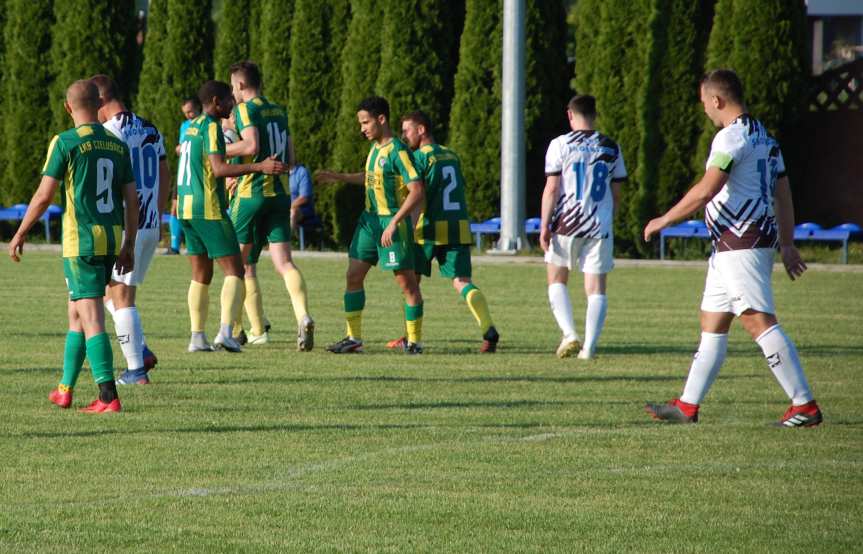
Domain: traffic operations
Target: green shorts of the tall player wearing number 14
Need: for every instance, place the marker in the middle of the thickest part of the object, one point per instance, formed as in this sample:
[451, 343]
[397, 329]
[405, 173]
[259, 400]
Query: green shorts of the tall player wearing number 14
[262, 218]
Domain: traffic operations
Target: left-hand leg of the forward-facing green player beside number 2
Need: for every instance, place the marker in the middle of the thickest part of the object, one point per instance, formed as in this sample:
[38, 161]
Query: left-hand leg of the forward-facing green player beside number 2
[362, 255]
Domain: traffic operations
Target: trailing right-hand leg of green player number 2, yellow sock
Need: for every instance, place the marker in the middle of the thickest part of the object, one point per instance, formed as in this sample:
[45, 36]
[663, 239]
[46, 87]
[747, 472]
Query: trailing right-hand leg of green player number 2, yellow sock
[454, 262]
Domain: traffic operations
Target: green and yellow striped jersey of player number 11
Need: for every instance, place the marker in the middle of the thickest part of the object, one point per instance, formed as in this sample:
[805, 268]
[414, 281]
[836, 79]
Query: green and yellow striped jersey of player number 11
[200, 194]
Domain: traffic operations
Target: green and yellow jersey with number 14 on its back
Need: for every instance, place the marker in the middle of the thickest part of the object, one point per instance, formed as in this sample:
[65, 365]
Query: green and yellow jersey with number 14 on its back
[271, 121]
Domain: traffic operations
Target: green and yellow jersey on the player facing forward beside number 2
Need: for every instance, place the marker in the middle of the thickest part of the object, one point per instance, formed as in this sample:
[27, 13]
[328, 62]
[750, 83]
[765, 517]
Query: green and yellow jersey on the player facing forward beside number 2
[389, 169]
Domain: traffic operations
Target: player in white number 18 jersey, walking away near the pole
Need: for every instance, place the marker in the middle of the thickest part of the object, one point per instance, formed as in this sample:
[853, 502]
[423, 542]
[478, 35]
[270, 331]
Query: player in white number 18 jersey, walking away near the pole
[584, 171]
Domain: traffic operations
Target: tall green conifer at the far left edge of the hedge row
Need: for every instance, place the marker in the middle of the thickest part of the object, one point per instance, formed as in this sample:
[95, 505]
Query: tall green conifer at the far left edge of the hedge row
[26, 116]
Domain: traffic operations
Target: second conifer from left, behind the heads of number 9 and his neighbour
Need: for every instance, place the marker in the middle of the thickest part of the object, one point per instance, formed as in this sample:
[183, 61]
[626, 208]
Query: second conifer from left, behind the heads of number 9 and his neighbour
[103, 48]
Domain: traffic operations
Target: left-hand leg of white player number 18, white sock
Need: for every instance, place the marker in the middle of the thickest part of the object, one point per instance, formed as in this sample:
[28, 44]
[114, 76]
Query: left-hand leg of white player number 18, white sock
[558, 260]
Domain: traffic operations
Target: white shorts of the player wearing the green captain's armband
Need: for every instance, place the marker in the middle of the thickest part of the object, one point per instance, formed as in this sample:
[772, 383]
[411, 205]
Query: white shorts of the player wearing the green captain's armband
[739, 280]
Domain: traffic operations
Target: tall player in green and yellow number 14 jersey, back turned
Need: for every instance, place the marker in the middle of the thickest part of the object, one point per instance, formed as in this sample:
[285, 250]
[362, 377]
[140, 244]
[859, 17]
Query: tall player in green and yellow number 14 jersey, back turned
[261, 207]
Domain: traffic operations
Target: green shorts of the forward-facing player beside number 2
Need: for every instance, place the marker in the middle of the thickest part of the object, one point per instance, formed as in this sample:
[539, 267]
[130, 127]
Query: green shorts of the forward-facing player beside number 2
[366, 243]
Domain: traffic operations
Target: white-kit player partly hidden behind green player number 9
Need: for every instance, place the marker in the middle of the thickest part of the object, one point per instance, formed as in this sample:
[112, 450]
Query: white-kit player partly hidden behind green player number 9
[152, 179]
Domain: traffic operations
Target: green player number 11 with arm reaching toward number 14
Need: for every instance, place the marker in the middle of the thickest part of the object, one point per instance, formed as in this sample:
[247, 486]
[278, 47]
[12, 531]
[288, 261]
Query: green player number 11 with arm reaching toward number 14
[202, 208]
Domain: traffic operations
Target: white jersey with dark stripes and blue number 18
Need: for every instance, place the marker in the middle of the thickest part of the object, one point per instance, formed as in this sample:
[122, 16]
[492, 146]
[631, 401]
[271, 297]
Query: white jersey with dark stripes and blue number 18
[588, 162]
